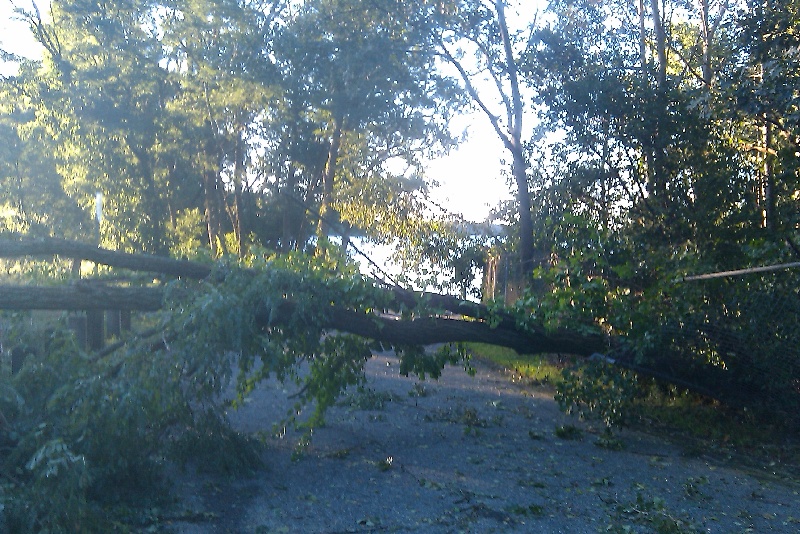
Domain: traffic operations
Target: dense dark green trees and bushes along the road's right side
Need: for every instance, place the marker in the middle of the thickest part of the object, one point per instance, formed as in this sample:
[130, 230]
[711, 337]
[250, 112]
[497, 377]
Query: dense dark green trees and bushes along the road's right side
[671, 160]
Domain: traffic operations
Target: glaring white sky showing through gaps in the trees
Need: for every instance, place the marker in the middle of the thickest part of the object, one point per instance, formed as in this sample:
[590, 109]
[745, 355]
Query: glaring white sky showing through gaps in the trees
[470, 177]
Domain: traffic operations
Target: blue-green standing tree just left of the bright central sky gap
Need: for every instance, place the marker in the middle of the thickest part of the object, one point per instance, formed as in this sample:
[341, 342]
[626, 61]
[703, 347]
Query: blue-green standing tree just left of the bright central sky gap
[362, 75]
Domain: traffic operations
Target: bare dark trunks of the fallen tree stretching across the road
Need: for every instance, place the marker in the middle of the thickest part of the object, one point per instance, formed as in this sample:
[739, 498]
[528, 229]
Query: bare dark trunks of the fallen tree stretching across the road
[426, 318]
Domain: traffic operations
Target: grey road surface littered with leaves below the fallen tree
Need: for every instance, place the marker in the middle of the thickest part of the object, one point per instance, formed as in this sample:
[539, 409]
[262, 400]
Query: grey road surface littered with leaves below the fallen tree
[472, 454]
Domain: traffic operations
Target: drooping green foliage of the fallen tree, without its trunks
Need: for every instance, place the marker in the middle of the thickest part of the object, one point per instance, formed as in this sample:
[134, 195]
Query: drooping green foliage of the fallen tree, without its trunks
[97, 430]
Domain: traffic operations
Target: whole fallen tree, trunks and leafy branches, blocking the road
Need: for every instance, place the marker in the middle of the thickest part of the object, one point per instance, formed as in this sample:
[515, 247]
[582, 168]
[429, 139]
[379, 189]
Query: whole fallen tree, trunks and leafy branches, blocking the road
[110, 417]
